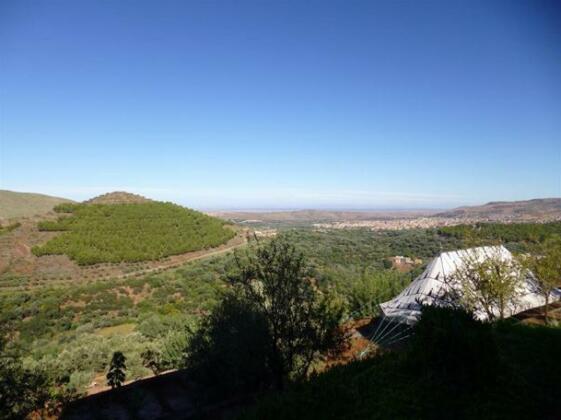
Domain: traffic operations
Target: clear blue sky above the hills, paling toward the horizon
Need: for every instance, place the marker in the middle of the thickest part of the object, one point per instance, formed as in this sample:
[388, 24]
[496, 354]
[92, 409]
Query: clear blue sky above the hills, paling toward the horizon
[286, 104]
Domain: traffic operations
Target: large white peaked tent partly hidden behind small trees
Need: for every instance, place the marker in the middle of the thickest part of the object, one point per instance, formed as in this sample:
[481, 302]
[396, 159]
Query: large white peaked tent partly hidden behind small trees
[432, 287]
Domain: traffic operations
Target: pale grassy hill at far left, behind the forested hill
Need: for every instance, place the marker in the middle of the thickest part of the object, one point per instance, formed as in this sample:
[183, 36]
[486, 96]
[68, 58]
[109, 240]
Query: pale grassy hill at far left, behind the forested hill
[19, 204]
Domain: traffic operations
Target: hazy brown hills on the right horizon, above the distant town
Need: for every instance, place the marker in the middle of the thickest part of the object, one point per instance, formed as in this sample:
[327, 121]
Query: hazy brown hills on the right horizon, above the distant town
[537, 209]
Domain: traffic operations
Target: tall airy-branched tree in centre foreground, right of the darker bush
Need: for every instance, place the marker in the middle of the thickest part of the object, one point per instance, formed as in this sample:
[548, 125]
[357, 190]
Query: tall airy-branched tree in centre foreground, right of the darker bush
[301, 322]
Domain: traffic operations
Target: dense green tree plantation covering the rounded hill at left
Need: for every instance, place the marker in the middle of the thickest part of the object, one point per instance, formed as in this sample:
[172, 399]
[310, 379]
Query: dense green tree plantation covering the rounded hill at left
[98, 233]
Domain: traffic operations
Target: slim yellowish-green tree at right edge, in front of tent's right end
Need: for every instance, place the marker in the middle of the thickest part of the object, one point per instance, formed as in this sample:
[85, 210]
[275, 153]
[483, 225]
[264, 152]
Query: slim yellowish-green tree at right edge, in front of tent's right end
[545, 264]
